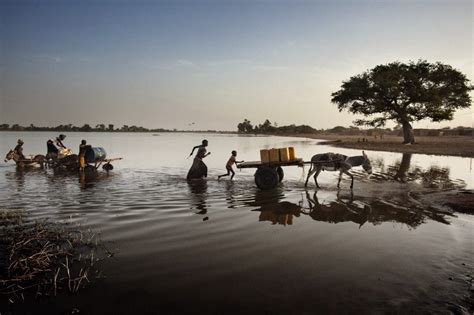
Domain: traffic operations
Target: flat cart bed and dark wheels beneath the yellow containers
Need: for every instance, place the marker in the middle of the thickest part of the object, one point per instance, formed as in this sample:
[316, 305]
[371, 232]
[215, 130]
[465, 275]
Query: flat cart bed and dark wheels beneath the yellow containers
[268, 175]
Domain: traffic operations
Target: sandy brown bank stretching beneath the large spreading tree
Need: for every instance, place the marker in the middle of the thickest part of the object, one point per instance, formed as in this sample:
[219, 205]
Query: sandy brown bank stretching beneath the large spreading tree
[455, 146]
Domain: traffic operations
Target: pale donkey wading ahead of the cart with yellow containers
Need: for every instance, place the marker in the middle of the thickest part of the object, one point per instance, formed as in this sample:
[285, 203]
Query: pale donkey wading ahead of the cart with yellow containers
[337, 162]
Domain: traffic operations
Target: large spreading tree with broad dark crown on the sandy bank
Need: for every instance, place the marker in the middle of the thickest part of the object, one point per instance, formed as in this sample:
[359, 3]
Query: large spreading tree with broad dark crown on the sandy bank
[405, 93]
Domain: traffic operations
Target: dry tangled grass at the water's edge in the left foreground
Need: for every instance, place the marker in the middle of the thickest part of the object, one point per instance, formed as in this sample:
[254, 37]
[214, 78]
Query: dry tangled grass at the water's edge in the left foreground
[43, 257]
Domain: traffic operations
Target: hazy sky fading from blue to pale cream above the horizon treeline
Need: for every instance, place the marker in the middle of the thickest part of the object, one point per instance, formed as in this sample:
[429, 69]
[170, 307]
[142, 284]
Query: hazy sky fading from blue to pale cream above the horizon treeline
[169, 64]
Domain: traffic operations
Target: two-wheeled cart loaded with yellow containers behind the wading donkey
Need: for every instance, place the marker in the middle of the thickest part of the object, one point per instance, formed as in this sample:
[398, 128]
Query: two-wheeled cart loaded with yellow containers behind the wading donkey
[270, 167]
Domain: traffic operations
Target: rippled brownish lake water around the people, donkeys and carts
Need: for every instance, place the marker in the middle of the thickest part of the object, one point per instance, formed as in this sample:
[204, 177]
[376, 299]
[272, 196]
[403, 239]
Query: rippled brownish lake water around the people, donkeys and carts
[226, 247]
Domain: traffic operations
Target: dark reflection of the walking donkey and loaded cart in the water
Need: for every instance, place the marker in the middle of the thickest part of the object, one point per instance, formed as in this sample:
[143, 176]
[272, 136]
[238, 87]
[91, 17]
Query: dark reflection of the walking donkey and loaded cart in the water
[347, 209]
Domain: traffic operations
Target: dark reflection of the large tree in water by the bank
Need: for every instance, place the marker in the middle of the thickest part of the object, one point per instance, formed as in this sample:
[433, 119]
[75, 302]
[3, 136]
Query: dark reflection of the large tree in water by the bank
[433, 177]
